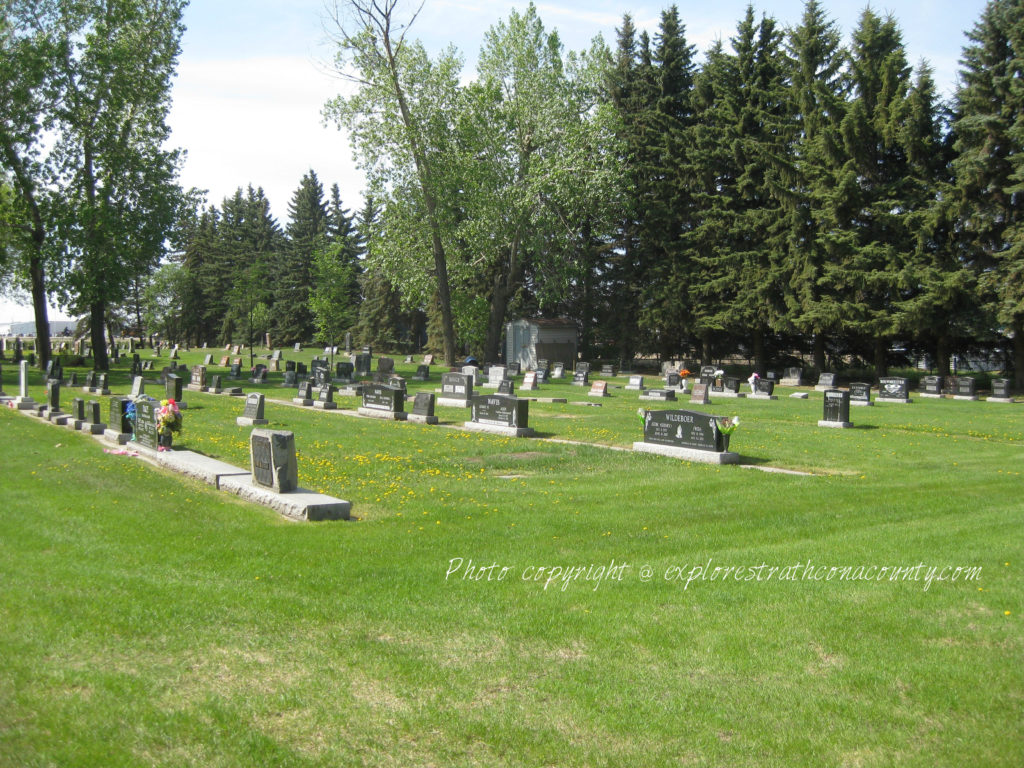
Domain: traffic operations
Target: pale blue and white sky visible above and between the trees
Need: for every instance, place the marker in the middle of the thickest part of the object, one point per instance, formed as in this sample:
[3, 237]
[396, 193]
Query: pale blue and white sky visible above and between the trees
[254, 75]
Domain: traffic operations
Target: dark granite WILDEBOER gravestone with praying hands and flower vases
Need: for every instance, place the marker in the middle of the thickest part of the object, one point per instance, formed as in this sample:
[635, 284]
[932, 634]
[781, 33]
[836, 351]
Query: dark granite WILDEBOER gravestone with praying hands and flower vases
[688, 435]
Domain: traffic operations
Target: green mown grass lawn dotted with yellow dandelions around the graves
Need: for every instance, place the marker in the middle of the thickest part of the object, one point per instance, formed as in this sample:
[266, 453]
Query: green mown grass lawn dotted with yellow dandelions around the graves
[148, 620]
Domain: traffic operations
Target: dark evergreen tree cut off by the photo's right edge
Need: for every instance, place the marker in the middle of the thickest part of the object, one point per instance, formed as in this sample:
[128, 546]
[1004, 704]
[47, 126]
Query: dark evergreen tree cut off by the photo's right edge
[990, 166]
